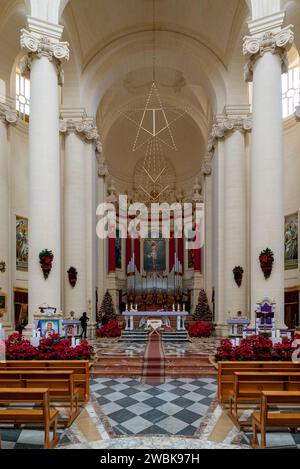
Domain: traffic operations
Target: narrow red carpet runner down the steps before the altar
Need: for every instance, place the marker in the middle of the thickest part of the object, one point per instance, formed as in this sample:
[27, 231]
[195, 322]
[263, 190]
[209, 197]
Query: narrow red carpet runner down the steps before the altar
[154, 361]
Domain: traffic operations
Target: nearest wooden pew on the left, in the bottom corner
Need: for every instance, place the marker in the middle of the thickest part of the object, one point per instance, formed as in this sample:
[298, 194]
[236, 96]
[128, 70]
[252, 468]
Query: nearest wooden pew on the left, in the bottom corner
[15, 398]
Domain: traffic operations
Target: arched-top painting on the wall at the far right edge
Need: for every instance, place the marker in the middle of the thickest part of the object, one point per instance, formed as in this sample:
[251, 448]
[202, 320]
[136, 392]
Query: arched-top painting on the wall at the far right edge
[291, 241]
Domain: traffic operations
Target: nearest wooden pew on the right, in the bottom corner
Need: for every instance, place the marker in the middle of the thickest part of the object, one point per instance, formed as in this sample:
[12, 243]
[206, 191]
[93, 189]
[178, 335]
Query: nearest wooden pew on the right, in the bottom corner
[265, 419]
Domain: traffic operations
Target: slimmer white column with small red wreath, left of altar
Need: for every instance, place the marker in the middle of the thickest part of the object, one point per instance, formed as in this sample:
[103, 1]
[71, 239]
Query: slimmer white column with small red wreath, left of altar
[74, 220]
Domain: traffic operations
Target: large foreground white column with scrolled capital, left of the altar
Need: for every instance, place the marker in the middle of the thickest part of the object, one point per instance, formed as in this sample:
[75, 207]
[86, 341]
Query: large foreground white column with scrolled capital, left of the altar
[43, 61]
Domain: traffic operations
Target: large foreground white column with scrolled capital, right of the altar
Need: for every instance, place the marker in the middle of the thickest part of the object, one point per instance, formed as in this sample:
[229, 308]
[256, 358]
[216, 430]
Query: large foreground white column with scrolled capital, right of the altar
[266, 52]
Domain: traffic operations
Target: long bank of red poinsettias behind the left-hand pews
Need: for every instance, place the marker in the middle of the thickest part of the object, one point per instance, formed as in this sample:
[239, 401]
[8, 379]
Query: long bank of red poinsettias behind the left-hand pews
[53, 348]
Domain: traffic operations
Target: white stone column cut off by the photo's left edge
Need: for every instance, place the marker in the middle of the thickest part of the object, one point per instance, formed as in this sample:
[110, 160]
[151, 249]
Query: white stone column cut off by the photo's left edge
[8, 116]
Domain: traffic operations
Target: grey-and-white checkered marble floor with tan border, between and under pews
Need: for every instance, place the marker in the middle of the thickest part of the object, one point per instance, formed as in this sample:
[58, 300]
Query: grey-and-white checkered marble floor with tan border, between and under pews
[124, 413]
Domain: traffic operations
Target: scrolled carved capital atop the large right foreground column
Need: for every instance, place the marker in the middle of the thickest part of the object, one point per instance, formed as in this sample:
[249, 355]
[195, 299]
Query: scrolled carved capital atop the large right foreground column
[275, 42]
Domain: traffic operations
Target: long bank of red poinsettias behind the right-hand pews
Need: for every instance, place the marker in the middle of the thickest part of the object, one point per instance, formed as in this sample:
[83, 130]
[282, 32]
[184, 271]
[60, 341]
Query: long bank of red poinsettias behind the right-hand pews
[255, 348]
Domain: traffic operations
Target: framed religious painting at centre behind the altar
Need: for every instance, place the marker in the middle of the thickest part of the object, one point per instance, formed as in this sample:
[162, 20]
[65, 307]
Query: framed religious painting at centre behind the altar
[154, 255]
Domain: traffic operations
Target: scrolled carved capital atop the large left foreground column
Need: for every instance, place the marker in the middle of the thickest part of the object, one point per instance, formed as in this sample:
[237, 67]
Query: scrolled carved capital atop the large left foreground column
[43, 46]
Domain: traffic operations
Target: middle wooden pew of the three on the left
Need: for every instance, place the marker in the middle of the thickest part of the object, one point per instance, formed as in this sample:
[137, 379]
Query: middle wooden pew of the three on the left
[60, 384]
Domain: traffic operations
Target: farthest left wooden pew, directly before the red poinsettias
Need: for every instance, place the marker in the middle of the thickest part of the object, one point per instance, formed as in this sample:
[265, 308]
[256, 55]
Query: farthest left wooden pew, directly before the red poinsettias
[81, 369]
